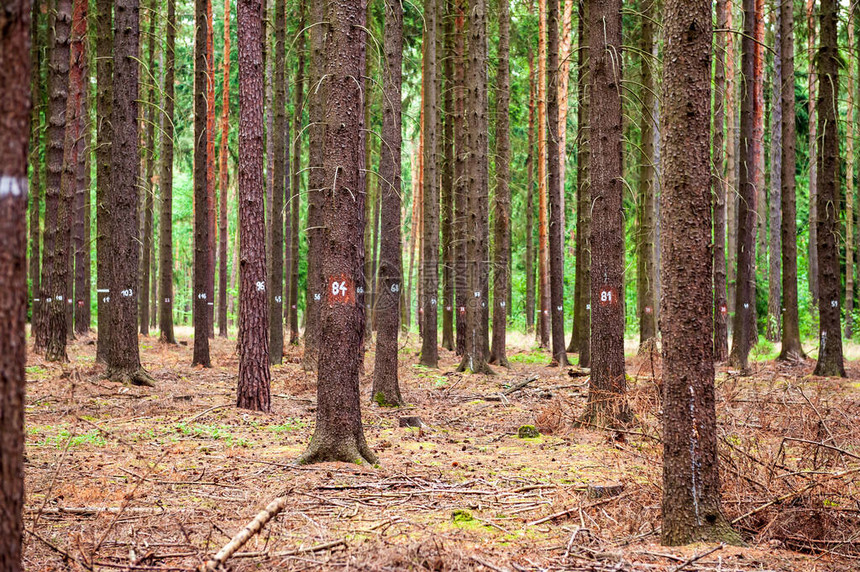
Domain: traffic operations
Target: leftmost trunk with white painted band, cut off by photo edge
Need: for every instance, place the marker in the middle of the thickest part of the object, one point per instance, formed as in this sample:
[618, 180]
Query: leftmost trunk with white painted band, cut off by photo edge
[14, 117]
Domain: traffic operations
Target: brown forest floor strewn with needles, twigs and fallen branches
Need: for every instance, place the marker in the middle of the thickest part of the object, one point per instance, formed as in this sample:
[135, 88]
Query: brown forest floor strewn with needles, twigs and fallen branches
[129, 478]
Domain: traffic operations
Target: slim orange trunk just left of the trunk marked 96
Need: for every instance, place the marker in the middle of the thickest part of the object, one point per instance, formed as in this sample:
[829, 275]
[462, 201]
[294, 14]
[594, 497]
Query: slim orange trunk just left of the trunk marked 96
[224, 180]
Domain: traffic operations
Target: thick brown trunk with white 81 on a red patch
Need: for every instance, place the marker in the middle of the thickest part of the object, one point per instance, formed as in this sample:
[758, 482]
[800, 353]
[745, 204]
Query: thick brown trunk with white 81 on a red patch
[608, 384]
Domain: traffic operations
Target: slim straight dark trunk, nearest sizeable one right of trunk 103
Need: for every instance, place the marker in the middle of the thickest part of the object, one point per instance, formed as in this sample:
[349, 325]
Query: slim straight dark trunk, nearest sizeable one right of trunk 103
[165, 235]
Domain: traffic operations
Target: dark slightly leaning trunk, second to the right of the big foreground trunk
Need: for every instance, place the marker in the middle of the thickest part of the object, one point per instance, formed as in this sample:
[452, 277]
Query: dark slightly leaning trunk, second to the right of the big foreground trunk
[743, 324]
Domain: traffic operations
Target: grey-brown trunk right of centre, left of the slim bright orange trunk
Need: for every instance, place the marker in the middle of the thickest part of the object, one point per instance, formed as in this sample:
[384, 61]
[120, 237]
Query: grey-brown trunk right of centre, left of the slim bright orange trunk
[503, 192]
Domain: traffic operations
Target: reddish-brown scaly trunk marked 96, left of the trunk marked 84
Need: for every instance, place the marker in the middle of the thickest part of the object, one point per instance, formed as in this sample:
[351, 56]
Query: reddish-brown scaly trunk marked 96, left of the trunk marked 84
[253, 390]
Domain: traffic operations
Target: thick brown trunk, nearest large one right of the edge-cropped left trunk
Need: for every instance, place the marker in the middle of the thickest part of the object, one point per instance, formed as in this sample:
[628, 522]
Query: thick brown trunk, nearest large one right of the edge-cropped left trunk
[71, 80]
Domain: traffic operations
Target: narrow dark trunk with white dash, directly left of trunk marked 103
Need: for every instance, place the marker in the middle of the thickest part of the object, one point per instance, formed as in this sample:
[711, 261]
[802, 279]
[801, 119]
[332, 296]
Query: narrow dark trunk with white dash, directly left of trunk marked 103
[104, 138]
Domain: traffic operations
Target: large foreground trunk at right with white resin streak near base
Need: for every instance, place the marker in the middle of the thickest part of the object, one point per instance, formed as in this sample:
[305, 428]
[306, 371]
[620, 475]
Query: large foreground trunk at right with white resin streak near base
[691, 480]
